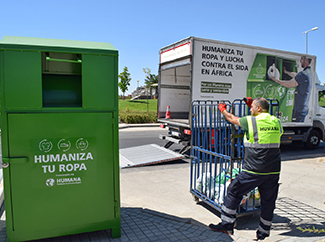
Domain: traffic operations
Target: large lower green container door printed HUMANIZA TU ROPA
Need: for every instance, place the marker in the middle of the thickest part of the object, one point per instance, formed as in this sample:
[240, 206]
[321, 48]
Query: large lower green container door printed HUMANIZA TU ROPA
[67, 181]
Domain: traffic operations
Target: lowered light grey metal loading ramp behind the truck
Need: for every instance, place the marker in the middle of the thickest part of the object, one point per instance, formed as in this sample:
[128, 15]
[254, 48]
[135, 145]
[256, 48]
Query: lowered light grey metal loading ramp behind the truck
[146, 155]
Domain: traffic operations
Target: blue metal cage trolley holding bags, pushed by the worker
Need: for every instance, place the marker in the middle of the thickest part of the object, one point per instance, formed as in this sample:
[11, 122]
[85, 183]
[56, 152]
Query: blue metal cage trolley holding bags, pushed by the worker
[217, 153]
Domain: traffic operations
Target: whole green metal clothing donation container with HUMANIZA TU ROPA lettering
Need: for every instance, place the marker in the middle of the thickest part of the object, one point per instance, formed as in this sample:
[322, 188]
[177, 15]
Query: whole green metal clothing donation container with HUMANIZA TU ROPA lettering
[59, 133]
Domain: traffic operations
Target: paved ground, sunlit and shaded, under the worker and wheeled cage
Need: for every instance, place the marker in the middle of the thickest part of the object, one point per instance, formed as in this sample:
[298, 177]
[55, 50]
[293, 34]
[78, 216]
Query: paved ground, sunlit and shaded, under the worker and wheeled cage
[156, 205]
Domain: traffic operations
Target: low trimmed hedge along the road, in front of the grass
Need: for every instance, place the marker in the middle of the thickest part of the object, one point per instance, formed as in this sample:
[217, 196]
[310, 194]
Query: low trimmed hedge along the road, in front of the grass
[133, 117]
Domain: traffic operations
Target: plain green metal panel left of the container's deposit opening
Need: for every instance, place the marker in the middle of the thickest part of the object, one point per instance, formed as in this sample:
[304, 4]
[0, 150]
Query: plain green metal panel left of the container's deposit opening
[22, 80]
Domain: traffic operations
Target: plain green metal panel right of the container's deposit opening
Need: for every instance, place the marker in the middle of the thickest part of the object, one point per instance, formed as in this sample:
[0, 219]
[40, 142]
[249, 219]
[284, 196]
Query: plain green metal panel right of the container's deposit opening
[99, 82]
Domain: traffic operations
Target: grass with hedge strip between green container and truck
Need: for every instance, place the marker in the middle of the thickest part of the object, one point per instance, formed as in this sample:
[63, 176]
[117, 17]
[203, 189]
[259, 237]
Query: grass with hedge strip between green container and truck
[136, 111]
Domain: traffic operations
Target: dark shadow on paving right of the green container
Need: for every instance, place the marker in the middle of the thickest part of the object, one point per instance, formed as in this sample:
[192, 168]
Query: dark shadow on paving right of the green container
[157, 226]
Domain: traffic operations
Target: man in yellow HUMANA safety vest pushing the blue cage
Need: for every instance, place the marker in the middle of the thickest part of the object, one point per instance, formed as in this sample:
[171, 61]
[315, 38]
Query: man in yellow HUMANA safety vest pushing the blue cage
[261, 167]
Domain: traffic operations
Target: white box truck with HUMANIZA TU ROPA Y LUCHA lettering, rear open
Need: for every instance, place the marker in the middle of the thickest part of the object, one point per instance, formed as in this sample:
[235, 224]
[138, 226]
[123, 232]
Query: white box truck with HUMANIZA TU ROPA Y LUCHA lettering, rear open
[203, 69]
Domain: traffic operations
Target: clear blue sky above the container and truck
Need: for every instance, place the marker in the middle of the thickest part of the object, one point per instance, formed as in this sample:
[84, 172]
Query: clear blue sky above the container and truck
[138, 29]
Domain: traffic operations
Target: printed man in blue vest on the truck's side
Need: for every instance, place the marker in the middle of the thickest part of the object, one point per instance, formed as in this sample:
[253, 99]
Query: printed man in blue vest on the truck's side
[302, 81]
